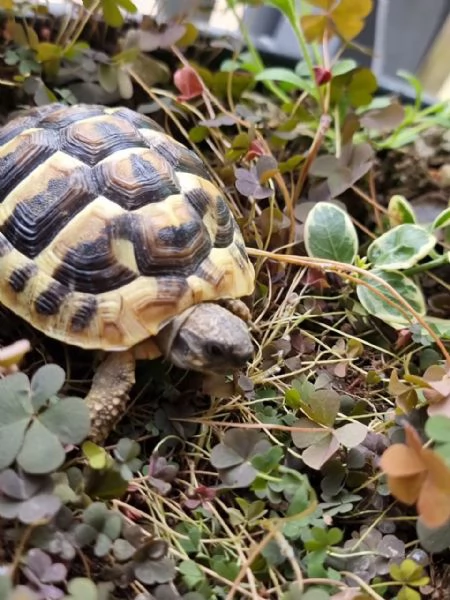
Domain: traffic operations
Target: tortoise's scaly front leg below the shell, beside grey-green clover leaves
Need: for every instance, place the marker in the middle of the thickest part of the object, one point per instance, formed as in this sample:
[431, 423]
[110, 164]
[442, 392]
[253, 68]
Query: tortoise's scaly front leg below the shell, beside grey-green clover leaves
[109, 393]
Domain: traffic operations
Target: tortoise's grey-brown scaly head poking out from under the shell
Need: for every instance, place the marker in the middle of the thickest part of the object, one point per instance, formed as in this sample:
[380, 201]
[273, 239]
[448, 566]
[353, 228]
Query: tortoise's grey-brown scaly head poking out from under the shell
[206, 338]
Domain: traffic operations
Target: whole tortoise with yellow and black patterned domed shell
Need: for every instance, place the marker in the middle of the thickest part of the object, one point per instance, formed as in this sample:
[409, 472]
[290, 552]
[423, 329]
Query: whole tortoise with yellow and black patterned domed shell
[114, 238]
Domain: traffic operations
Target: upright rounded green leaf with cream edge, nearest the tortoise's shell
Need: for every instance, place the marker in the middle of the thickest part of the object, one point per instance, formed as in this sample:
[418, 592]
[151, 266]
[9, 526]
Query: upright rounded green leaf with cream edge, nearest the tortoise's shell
[330, 233]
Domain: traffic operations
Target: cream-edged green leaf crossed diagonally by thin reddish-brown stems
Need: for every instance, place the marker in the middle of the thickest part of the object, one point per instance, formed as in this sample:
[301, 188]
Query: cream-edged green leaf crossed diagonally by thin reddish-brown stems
[378, 307]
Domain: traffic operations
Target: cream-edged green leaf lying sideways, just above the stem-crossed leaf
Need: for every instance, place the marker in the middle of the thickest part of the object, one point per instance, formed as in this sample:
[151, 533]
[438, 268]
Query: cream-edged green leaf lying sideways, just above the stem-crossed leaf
[401, 247]
